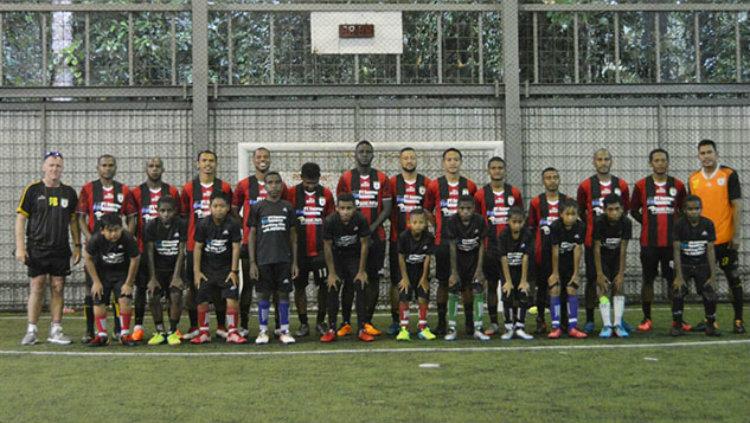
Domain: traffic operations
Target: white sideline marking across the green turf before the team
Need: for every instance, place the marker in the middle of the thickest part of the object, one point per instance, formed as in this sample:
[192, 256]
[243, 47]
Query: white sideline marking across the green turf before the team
[379, 350]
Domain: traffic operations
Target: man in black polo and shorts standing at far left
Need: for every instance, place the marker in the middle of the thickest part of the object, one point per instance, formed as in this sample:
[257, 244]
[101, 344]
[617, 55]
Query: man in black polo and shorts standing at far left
[45, 214]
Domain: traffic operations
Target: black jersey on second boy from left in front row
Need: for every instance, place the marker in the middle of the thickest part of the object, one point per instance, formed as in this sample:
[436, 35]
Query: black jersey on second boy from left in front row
[166, 241]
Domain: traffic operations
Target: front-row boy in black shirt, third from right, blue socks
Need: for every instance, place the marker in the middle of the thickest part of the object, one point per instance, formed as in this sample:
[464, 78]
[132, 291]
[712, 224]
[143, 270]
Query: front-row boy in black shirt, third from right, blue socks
[567, 236]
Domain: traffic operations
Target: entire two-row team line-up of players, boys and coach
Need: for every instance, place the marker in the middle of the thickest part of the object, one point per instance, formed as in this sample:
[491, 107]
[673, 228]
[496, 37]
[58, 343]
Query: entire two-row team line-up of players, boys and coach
[188, 247]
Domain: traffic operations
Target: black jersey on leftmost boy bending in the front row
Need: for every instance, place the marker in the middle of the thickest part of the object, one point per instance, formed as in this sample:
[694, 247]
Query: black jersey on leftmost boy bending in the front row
[112, 258]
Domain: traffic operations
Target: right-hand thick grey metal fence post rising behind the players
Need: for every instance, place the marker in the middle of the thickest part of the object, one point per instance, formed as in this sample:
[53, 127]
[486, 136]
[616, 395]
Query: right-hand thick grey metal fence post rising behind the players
[512, 131]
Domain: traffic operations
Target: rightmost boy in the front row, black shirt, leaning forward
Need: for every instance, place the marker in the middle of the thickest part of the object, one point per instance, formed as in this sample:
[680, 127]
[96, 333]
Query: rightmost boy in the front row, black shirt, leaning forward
[694, 258]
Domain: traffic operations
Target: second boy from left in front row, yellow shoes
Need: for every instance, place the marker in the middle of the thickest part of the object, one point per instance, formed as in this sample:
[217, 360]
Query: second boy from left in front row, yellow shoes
[165, 238]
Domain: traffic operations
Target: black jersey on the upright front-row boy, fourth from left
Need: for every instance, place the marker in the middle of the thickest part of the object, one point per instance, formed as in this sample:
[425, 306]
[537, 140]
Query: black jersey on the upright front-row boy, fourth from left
[272, 221]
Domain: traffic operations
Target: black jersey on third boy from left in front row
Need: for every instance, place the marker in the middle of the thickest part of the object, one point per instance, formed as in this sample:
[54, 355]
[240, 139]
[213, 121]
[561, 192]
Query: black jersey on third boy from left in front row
[217, 243]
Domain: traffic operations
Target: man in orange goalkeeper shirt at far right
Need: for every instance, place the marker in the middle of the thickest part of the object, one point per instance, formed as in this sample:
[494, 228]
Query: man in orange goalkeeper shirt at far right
[718, 187]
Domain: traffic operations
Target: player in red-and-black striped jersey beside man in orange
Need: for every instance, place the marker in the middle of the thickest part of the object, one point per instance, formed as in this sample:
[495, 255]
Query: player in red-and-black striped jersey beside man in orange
[656, 204]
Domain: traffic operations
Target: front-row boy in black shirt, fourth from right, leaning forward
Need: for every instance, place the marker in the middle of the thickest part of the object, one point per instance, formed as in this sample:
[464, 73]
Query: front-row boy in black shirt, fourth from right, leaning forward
[515, 246]
